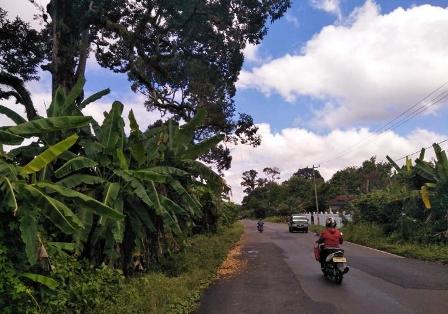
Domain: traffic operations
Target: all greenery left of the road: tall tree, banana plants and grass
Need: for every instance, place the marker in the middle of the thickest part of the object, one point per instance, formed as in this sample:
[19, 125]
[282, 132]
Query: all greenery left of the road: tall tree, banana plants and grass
[91, 209]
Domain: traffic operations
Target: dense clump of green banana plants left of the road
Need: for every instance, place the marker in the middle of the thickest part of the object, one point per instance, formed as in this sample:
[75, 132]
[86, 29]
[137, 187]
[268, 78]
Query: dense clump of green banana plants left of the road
[125, 201]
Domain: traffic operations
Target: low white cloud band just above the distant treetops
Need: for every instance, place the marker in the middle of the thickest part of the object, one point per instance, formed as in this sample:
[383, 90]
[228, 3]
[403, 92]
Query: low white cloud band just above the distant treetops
[295, 148]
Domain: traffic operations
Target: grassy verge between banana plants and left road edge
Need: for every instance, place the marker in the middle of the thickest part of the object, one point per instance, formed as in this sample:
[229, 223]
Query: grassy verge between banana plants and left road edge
[197, 267]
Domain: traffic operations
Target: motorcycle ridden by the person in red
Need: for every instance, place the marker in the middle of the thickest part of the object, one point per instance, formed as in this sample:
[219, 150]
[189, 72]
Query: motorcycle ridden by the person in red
[335, 265]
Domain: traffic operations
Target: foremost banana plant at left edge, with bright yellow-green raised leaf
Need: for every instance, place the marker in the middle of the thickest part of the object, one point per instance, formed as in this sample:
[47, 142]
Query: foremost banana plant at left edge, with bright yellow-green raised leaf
[29, 200]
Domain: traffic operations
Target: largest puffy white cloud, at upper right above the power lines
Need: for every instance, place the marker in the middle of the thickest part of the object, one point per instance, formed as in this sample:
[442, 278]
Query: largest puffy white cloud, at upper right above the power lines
[366, 69]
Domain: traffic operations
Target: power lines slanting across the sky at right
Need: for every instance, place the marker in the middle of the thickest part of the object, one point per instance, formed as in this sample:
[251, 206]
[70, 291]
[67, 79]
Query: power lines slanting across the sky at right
[407, 115]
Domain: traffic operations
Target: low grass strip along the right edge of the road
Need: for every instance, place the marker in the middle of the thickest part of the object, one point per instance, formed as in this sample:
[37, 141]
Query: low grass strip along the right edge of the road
[373, 236]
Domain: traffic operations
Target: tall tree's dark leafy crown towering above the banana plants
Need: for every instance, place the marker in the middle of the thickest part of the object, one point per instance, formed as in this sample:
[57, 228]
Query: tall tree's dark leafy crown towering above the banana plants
[180, 54]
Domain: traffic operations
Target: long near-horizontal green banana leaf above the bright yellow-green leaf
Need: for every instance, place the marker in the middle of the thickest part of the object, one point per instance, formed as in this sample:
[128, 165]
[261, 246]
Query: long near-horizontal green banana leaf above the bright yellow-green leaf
[47, 125]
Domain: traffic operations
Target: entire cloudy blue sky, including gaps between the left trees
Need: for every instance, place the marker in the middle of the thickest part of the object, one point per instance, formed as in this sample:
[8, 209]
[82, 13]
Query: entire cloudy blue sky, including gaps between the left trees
[322, 85]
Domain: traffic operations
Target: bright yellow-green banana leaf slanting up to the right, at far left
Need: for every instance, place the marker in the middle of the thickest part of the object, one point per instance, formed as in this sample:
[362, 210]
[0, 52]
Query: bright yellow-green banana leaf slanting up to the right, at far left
[45, 158]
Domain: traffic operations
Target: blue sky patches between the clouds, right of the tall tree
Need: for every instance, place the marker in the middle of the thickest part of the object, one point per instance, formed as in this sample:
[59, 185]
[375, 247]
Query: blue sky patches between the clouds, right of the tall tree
[289, 35]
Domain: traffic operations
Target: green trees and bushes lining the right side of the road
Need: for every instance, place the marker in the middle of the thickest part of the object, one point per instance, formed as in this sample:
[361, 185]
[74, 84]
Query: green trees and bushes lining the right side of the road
[402, 210]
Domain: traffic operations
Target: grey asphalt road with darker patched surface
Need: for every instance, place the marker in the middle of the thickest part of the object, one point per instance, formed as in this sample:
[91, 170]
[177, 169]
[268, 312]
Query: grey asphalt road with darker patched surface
[282, 276]
